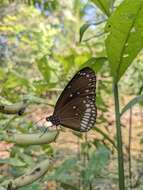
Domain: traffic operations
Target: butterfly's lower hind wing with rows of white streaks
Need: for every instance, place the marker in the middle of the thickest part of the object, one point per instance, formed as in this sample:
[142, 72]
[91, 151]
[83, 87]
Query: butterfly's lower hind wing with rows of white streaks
[79, 115]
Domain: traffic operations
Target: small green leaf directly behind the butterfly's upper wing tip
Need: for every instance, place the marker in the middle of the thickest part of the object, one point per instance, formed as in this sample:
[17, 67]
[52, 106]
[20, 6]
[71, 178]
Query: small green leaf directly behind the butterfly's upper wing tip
[95, 63]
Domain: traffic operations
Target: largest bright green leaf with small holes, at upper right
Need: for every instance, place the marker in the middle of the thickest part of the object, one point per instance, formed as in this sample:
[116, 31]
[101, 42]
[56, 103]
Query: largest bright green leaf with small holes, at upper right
[125, 36]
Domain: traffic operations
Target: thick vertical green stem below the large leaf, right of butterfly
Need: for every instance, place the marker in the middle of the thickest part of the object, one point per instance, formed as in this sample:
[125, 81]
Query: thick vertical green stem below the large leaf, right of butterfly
[119, 140]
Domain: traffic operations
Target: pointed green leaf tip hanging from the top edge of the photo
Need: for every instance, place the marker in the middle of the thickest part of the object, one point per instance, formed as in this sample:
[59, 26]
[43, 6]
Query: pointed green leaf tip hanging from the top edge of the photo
[104, 5]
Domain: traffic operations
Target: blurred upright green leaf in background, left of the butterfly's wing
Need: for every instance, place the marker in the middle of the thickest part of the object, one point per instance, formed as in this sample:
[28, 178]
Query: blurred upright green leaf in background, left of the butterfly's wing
[44, 68]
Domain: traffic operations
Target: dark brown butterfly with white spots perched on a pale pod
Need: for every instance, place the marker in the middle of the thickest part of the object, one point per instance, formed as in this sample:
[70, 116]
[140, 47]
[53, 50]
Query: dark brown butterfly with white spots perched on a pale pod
[75, 108]
